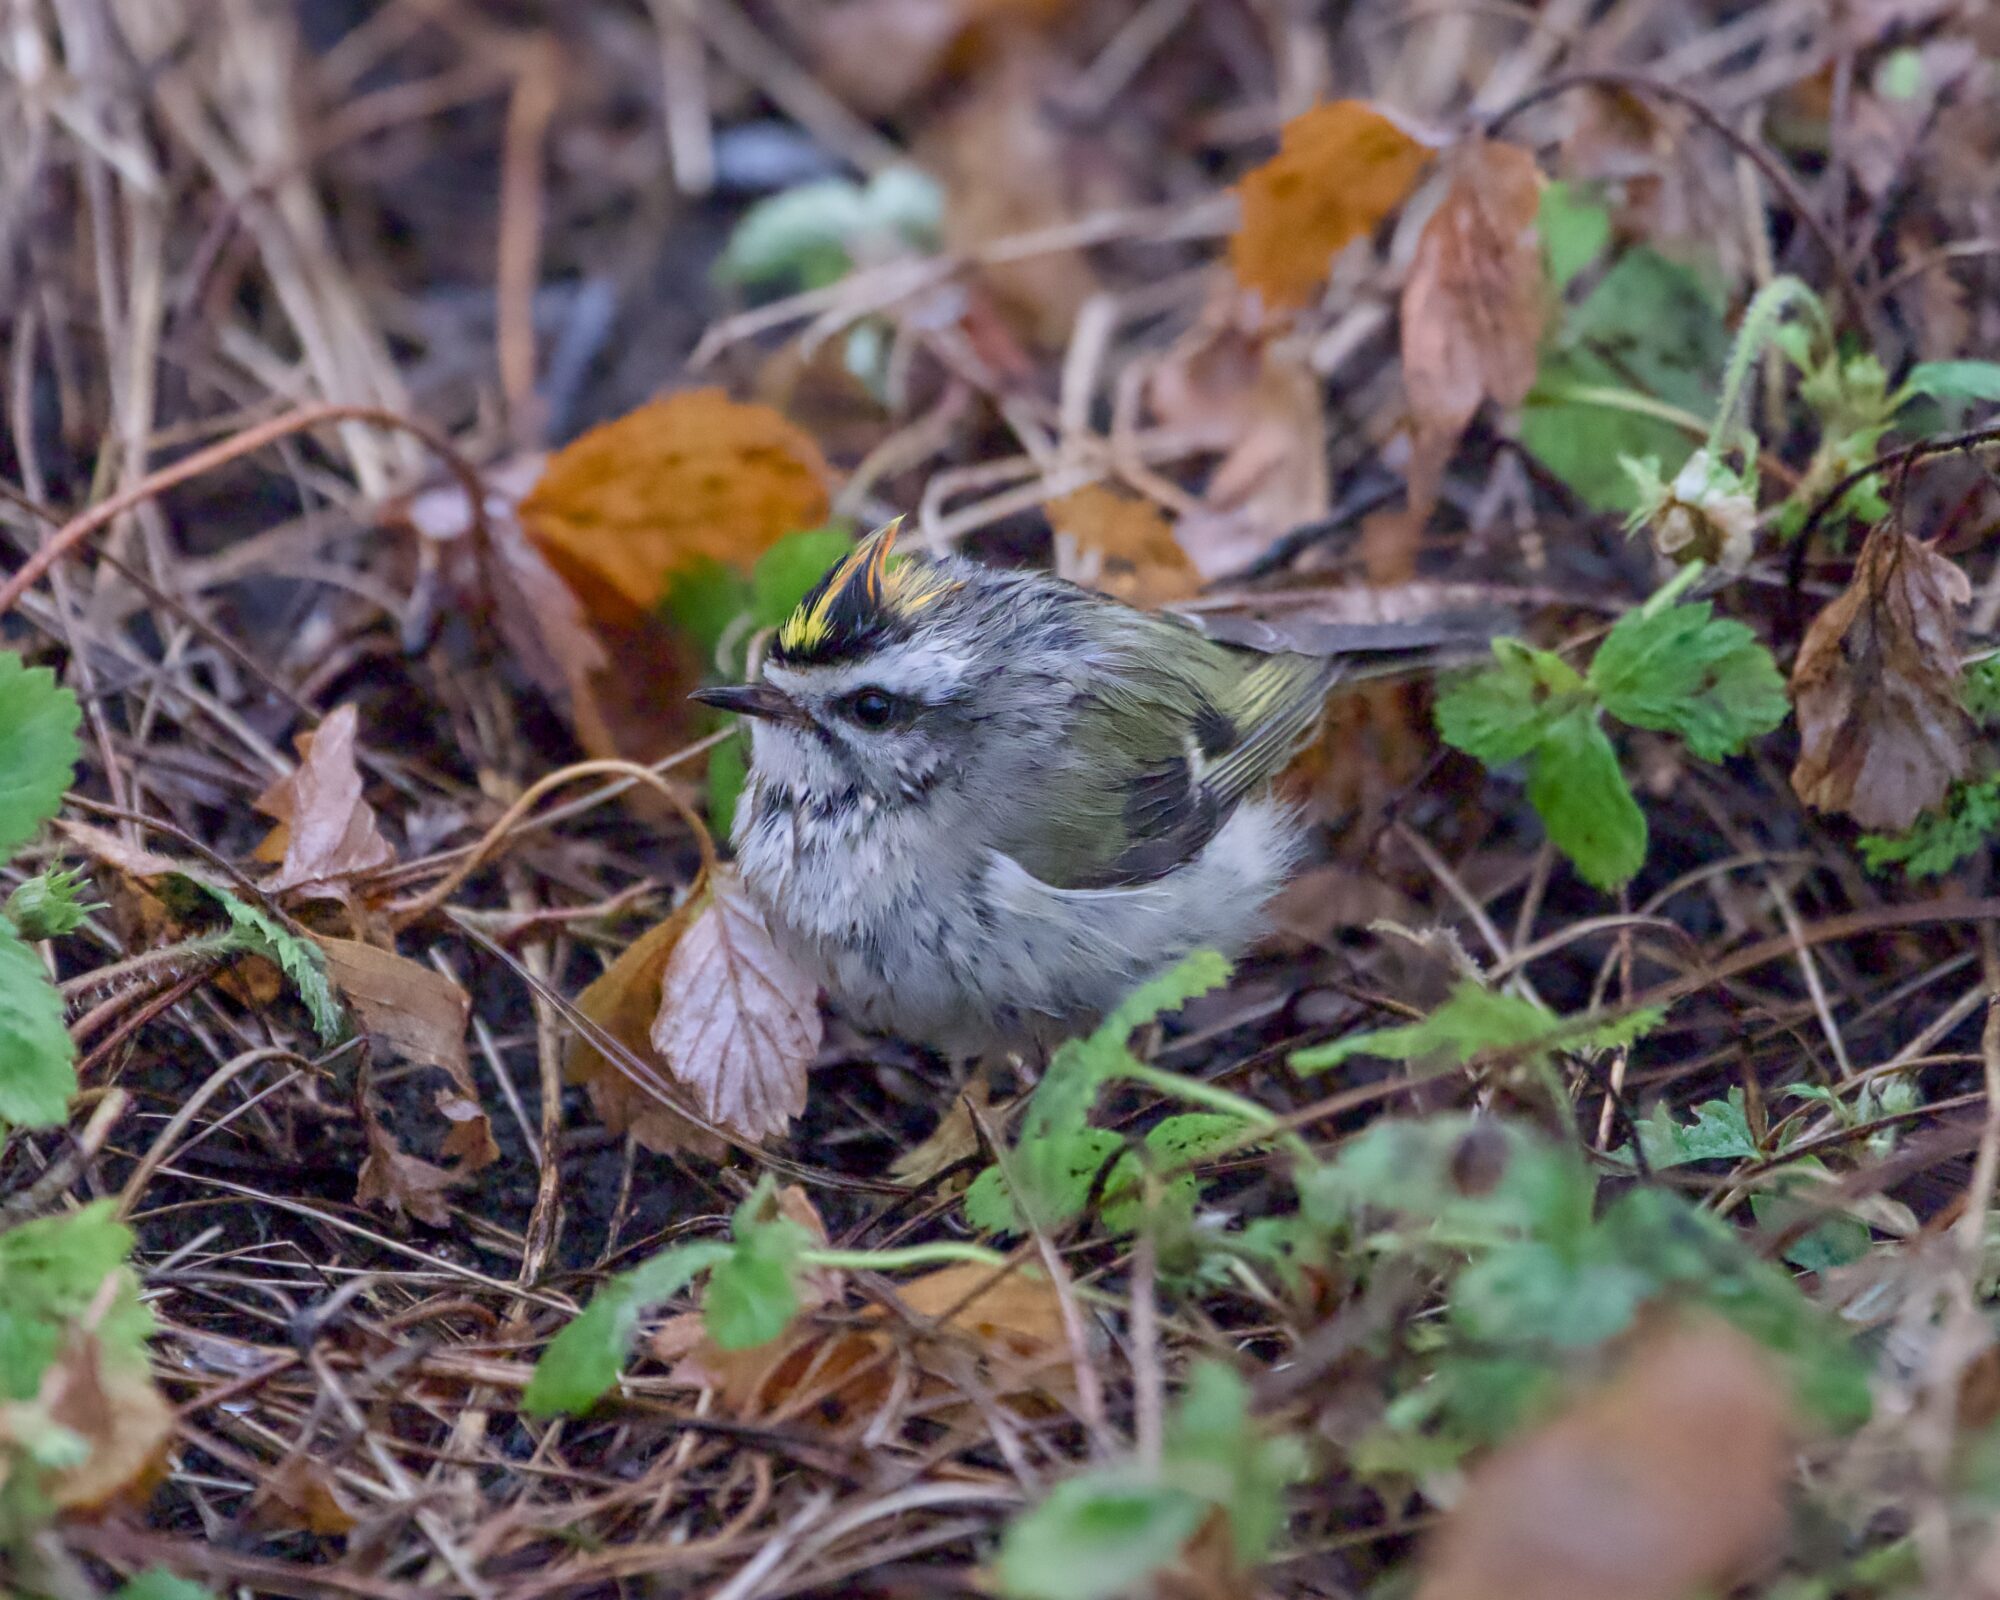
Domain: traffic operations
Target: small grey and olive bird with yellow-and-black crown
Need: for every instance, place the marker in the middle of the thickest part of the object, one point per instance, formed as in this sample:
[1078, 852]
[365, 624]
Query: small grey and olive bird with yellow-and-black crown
[983, 805]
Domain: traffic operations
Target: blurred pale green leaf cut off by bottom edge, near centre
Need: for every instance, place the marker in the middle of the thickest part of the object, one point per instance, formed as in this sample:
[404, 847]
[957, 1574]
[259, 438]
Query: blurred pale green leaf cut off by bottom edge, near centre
[1095, 1537]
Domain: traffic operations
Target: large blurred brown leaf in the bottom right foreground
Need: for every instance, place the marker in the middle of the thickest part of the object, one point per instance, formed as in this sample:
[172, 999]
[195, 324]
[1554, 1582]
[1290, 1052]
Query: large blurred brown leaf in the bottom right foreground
[1627, 1495]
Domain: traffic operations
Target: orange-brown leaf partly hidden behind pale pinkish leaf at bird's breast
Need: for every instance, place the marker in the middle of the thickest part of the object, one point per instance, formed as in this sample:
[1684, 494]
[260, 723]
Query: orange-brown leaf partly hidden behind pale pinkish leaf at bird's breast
[625, 1001]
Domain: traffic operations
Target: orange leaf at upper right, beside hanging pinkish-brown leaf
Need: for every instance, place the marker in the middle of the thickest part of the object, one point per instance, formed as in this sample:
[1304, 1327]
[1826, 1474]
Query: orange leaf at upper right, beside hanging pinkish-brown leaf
[1339, 171]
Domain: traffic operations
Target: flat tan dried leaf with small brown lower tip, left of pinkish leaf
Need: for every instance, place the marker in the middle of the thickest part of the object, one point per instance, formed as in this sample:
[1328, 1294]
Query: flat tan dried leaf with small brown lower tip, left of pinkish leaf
[423, 1017]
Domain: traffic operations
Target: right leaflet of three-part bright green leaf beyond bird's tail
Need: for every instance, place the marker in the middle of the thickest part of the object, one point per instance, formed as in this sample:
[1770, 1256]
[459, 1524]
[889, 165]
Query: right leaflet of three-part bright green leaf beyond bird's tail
[1685, 671]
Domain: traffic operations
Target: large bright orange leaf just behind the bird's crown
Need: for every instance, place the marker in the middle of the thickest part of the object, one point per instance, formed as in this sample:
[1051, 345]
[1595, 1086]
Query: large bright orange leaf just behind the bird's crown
[693, 477]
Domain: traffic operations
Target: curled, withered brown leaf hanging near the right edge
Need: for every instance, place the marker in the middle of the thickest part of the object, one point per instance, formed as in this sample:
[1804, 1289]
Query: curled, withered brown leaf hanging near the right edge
[1883, 729]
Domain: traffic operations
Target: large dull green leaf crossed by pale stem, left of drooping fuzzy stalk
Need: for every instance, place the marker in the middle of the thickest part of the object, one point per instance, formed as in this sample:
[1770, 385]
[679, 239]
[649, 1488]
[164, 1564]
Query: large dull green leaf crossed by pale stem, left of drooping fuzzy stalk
[1651, 329]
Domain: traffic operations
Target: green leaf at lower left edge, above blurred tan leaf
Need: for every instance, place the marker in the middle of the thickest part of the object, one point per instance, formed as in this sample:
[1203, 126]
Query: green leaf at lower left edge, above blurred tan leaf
[51, 1273]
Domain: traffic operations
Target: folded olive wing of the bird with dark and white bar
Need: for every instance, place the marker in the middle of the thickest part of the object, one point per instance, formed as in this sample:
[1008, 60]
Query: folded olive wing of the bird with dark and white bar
[1161, 761]
